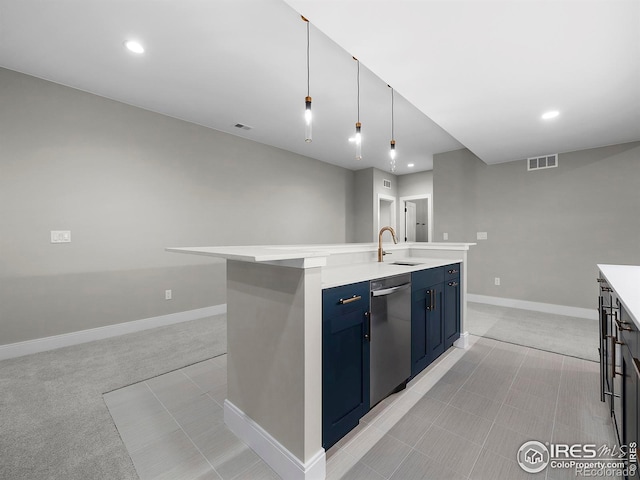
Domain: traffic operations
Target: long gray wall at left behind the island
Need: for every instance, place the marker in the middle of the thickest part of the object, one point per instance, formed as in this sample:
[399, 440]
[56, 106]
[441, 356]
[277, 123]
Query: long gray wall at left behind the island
[128, 183]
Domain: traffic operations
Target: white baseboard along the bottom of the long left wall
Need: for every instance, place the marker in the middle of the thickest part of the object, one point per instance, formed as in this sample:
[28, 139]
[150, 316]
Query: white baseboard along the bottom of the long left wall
[37, 345]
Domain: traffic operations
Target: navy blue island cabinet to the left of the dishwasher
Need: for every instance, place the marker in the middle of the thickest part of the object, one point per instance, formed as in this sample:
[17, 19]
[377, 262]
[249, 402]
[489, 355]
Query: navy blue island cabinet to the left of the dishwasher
[345, 359]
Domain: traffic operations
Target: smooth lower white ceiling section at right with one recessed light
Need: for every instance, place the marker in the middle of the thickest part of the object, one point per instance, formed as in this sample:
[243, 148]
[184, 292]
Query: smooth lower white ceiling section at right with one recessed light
[486, 71]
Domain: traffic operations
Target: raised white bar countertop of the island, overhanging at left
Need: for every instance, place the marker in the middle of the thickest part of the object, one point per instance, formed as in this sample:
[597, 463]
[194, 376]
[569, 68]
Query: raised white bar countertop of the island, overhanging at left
[274, 253]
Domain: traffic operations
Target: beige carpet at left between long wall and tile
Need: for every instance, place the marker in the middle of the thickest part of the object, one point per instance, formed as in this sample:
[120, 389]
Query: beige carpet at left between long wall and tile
[54, 422]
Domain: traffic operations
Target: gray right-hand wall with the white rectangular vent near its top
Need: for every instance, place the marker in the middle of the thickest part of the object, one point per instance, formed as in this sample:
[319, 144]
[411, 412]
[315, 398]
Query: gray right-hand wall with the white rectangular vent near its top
[547, 229]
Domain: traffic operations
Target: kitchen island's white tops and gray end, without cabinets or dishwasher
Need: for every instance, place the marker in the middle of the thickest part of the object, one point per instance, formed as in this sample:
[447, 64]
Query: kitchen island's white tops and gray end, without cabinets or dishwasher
[274, 336]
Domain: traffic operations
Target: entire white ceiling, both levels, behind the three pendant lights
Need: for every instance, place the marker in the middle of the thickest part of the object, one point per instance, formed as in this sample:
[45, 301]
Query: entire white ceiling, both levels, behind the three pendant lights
[483, 71]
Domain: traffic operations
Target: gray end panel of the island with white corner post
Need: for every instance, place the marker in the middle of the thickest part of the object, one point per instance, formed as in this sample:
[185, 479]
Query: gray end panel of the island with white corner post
[274, 331]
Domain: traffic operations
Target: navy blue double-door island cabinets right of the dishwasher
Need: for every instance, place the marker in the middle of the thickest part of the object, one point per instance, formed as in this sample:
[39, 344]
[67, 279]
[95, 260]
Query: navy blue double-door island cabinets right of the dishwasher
[435, 314]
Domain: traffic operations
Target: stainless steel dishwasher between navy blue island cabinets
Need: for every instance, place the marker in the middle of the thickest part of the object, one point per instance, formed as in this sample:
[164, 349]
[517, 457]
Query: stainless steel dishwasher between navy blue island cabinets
[390, 335]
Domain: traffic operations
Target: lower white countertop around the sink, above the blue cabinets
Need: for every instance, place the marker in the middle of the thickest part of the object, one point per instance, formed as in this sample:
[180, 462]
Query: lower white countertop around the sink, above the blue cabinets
[335, 276]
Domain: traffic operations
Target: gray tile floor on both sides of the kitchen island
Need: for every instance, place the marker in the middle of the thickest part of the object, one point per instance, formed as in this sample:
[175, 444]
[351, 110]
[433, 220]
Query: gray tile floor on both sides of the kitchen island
[464, 417]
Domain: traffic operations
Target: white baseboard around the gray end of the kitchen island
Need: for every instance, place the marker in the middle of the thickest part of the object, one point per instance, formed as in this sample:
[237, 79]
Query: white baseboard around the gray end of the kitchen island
[281, 460]
